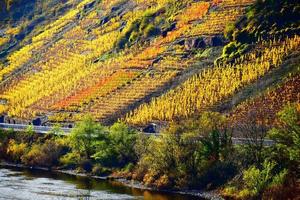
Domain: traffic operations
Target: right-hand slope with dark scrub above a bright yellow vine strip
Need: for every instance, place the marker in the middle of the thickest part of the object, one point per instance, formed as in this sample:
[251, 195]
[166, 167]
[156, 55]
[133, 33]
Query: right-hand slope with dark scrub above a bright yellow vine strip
[245, 74]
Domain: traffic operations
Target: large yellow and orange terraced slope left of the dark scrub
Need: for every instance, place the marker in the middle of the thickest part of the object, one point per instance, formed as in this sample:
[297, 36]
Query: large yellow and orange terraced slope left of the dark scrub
[156, 40]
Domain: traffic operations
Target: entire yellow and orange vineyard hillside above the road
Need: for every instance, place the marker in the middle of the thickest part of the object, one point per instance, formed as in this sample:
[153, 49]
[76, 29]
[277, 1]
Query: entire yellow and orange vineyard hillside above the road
[139, 61]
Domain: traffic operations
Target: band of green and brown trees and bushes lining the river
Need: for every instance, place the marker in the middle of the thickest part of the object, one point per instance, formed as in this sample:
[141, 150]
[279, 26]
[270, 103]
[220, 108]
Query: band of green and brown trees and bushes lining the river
[170, 163]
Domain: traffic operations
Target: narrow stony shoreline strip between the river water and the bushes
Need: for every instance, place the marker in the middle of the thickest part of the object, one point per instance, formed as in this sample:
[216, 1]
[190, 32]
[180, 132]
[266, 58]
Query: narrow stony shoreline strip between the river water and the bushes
[128, 183]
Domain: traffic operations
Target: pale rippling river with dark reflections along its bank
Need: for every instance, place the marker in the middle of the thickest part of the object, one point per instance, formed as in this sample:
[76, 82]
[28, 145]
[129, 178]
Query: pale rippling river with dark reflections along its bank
[22, 184]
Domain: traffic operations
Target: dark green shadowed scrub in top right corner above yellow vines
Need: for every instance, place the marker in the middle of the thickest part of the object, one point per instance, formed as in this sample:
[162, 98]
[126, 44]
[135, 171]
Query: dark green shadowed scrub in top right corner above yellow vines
[265, 20]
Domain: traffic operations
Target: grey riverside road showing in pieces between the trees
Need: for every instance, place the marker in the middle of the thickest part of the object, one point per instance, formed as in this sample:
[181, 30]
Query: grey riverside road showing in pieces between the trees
[47, 129]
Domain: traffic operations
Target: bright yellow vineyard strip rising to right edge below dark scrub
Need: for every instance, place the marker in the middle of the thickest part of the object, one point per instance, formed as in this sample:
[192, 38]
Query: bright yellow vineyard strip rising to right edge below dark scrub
[214, 85]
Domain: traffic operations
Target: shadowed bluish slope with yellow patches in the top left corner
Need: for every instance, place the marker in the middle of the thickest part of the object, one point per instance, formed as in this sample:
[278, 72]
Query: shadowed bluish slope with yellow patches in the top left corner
[21, 20]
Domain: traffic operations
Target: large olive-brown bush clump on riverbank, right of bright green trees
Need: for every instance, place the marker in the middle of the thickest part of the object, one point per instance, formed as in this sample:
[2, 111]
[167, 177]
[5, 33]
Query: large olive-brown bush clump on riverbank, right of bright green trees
[160, 158]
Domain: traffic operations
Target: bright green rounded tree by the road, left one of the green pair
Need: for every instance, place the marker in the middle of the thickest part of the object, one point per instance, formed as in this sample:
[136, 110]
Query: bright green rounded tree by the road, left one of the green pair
[85, 136]
